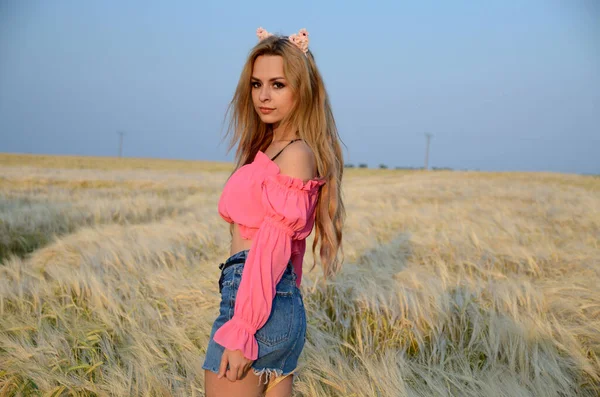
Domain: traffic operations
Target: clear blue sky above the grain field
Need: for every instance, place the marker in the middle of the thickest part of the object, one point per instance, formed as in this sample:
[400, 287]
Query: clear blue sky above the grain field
[501, 85]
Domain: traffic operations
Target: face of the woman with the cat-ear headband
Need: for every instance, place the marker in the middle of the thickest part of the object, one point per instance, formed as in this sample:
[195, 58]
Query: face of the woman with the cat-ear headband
[271, 93]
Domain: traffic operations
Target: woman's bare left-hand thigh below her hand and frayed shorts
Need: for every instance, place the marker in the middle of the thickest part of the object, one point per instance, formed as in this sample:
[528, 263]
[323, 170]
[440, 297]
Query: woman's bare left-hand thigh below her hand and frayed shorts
[249, 386]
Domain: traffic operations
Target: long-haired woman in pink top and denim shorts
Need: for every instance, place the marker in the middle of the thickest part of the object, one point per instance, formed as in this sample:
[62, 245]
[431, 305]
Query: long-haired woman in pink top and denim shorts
[288, 179]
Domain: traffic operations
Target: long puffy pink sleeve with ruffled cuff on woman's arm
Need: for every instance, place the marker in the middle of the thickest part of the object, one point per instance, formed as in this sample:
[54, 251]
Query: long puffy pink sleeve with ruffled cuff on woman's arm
[289, 207]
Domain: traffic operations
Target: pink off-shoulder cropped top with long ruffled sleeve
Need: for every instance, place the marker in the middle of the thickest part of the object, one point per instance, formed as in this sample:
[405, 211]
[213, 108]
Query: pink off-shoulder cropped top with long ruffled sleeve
[277, 212]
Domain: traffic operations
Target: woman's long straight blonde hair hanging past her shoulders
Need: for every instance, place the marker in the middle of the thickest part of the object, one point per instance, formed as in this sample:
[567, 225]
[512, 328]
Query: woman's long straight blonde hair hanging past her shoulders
[312, 117]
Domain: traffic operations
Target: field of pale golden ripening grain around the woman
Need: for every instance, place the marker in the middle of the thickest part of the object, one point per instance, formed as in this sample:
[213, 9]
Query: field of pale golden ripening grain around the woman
[453, 284]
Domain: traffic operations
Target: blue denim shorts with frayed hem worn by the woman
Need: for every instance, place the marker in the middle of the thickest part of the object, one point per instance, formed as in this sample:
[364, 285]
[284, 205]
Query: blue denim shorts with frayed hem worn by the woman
[280, 340]
